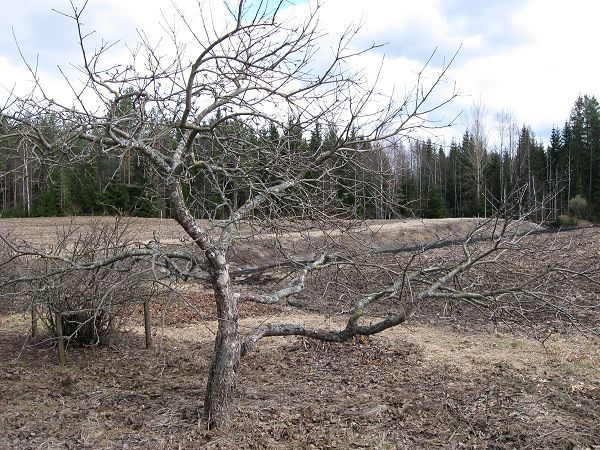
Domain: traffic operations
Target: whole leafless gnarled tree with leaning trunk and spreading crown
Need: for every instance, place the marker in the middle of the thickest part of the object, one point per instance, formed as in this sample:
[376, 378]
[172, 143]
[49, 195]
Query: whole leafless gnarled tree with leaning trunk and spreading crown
[190, 122]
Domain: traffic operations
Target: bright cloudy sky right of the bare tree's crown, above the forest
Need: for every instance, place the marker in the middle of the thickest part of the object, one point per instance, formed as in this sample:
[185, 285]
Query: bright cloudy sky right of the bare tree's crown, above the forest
[532, 57]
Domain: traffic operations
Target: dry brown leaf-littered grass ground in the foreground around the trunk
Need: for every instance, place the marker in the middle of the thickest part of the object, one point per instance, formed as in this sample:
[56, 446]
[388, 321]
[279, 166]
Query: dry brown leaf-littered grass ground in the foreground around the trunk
[435, 383]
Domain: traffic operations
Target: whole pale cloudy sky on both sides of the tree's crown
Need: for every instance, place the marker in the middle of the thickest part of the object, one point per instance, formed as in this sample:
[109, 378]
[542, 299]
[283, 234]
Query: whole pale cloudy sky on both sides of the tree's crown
[530, 57]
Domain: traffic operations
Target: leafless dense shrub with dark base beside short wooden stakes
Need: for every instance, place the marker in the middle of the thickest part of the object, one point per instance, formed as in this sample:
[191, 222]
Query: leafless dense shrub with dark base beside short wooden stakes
[90, 300]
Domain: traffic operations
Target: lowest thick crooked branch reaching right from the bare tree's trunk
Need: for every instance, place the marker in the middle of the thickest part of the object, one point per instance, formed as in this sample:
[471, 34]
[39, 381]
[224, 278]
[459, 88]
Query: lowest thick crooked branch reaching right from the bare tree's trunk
[489, 245]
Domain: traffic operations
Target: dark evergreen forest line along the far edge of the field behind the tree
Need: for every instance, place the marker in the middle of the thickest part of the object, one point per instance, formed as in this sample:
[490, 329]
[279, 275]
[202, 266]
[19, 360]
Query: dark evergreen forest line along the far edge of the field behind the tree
[470, 177]
